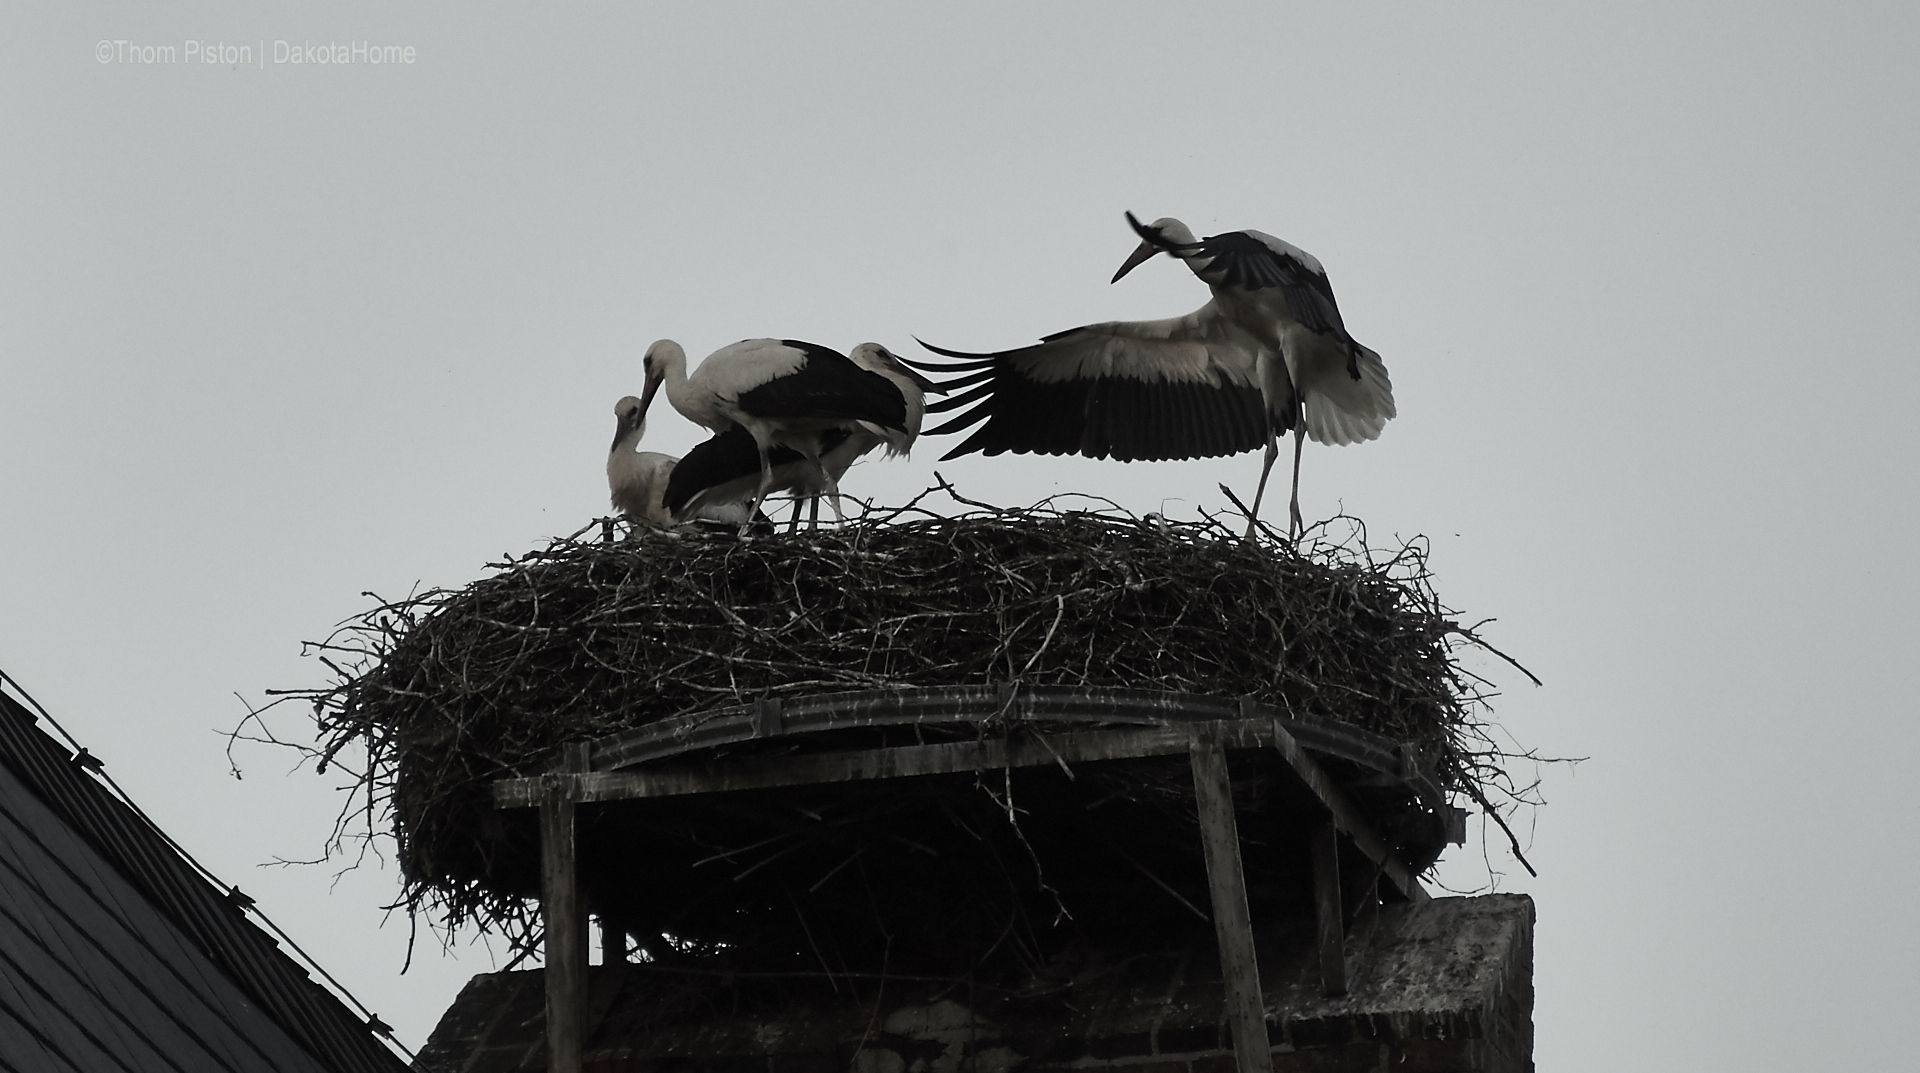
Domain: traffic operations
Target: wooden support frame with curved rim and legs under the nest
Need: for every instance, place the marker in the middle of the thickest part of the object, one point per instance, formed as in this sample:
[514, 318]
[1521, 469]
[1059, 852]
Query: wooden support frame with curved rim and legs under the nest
[996, 730]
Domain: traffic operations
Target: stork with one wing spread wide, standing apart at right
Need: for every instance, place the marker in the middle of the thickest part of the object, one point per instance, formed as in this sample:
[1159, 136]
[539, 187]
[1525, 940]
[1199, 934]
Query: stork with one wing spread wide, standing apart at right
[1264, 356]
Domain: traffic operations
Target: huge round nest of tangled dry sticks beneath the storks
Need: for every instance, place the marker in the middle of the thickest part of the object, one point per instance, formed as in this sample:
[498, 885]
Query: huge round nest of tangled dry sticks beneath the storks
[444, 692]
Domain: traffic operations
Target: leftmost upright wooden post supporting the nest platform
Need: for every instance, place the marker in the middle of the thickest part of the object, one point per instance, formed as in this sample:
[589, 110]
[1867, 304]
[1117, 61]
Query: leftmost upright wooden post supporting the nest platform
[567, 930]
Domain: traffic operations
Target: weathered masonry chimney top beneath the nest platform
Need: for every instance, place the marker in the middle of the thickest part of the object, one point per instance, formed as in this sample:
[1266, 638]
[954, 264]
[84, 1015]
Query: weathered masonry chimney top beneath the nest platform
[1422, 1020]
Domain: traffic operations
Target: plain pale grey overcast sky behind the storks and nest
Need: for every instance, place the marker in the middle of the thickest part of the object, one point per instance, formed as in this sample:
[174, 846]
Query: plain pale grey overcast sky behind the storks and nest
[1644, 277]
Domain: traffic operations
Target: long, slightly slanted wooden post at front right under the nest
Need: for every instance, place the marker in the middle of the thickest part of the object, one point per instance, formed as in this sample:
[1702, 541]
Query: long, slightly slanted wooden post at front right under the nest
[1234, 926]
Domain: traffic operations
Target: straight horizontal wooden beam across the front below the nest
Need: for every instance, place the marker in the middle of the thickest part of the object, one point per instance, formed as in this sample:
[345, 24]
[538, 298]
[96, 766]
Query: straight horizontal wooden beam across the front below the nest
[1086, 746]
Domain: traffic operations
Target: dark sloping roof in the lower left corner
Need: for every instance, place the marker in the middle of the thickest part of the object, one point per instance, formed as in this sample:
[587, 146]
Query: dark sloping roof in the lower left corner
[118, 955]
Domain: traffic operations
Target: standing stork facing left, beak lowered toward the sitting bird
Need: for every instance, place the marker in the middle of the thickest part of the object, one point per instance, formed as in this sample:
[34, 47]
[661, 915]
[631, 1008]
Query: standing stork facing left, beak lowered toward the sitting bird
[782, 393]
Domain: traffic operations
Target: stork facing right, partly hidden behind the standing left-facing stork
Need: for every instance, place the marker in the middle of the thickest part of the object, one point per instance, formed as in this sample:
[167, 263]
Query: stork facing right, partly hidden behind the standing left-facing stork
[727, 467]
